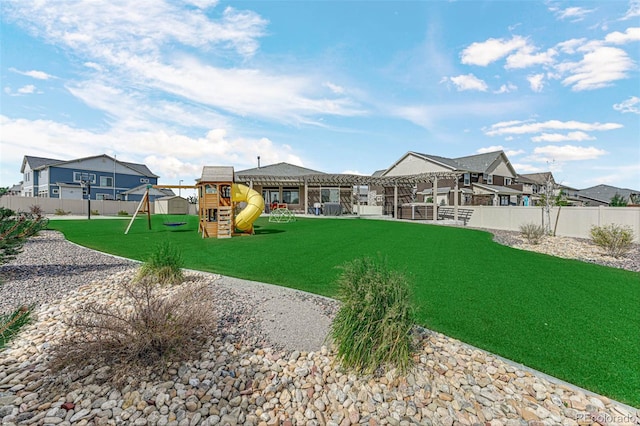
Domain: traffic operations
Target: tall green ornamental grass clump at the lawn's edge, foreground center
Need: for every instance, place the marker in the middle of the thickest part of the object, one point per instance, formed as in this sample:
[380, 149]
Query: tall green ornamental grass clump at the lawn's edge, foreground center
[372, 329]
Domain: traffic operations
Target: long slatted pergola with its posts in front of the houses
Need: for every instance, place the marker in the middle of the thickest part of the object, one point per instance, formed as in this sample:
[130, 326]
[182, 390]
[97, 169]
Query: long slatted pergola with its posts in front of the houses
[341, 180]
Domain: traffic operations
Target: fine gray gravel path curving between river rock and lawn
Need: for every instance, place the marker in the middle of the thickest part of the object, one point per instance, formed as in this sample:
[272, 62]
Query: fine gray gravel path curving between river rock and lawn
[49, 267]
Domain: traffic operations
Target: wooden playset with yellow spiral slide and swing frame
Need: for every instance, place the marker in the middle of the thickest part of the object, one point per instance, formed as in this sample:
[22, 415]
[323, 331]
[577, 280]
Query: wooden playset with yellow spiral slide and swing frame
[218, 201]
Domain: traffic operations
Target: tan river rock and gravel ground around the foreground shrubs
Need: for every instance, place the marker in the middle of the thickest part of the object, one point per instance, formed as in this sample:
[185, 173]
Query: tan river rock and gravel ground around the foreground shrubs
[247, 374]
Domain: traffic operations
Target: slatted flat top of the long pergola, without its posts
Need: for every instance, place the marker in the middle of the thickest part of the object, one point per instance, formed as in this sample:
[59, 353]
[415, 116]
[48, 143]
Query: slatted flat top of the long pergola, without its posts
[344, 179]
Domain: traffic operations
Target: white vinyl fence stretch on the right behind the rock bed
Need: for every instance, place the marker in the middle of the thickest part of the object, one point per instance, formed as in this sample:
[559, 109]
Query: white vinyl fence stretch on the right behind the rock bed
[571, 221]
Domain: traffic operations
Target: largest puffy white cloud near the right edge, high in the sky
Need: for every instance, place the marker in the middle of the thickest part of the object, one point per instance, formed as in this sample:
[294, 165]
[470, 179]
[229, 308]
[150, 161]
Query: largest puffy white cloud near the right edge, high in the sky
[600, 67]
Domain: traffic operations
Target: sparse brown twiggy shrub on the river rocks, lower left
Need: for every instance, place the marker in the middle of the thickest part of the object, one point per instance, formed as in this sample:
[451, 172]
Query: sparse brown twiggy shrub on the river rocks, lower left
[153, 326]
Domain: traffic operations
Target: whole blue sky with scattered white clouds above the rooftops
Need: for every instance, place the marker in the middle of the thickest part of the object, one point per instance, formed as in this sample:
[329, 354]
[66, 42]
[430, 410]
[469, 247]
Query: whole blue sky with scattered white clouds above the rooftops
[336, 86]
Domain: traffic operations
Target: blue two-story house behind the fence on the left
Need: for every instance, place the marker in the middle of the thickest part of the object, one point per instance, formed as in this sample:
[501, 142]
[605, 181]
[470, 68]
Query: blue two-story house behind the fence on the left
[106, 177]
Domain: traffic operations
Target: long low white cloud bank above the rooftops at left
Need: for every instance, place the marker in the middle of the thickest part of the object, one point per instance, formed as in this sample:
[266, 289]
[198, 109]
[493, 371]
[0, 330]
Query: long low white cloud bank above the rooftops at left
[168, 154]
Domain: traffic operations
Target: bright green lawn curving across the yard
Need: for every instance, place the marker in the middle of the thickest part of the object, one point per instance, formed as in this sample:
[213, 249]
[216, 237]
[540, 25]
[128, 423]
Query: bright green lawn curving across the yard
[575, 321]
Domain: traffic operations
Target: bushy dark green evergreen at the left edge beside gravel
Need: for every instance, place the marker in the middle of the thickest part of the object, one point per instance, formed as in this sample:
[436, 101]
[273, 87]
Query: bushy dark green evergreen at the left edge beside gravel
[15, 229]
